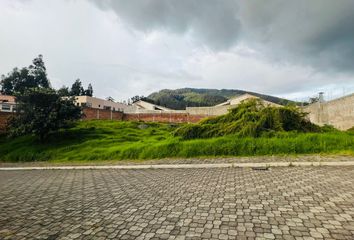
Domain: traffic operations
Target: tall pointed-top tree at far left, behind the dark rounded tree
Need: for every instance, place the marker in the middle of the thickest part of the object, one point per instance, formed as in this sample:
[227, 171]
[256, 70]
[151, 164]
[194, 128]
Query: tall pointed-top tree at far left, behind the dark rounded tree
[33, 76]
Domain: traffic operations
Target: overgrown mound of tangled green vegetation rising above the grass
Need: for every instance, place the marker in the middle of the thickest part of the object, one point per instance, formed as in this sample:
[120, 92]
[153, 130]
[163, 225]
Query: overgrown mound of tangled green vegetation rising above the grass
[250, 119]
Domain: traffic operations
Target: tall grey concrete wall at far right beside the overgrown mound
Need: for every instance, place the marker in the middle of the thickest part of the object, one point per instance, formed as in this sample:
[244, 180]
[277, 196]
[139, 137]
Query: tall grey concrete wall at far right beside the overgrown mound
[338, 112]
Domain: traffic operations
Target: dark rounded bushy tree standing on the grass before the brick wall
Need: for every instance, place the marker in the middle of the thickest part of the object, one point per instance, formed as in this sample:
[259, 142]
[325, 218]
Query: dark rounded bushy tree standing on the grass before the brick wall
[41, 111]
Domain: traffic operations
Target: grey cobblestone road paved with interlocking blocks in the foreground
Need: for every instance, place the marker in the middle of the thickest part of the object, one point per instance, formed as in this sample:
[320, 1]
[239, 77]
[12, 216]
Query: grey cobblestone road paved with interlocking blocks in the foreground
[224, 203]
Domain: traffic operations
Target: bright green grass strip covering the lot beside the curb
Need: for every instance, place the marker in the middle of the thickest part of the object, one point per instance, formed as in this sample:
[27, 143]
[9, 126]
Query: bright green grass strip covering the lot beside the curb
[113, 140]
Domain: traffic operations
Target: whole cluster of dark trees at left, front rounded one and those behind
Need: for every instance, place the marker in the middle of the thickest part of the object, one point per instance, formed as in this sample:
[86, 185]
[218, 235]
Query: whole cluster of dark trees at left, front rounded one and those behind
[40, 108]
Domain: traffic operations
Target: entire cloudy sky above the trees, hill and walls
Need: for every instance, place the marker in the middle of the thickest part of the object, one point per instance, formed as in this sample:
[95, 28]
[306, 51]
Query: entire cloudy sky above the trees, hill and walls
[291, 49]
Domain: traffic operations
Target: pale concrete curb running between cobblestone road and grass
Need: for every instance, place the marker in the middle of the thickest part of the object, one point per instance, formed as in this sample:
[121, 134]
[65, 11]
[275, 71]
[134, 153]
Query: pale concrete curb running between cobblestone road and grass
[185, 166]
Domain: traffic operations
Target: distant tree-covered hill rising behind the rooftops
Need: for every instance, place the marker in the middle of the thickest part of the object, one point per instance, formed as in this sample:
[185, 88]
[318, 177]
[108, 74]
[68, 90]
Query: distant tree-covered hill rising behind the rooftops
[194, 97]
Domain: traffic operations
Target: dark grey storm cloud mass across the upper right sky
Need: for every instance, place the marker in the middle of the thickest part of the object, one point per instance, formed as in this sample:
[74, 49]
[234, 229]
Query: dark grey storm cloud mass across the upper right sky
[319, 33]
